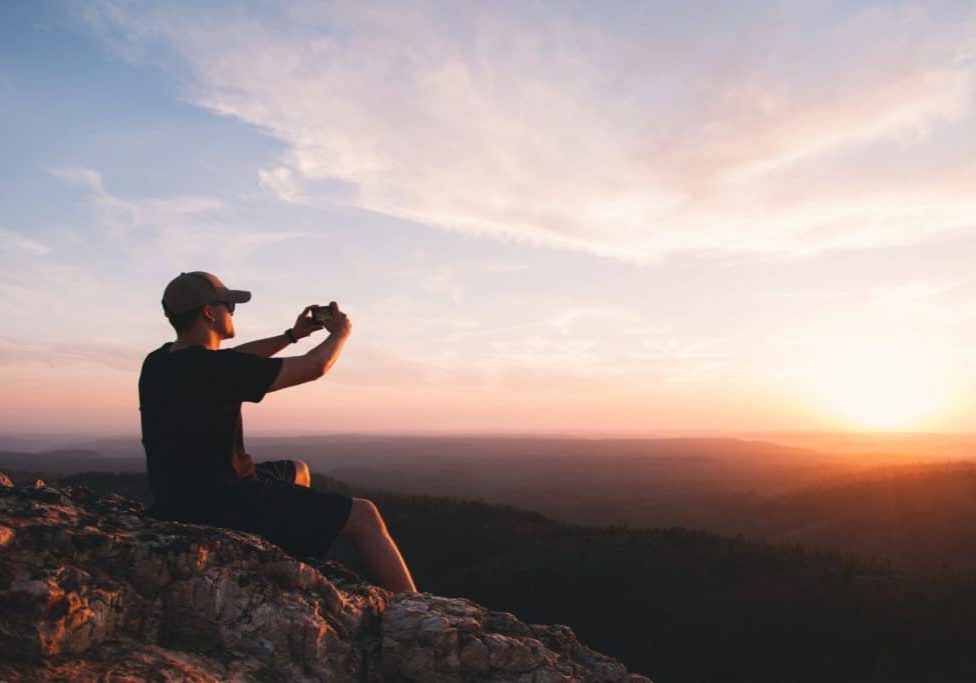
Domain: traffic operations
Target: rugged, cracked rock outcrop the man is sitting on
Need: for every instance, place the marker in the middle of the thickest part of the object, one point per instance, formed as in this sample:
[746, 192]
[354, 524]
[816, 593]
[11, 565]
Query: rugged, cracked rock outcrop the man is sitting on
[90, 590]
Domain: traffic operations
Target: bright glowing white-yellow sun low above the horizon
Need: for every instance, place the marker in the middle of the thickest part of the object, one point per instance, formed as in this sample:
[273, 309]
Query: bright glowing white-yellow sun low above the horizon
[885, 385]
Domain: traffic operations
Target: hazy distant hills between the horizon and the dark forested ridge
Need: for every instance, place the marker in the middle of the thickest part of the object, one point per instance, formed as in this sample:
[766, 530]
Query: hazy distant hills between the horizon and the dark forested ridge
[895, 502]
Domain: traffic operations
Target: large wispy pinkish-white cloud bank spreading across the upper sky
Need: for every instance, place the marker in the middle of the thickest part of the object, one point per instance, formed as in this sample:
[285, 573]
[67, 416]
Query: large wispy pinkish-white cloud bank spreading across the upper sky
[623, 133]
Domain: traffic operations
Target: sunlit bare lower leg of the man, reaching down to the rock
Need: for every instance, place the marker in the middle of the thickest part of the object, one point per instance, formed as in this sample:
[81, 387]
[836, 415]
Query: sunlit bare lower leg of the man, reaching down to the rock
[382, 558]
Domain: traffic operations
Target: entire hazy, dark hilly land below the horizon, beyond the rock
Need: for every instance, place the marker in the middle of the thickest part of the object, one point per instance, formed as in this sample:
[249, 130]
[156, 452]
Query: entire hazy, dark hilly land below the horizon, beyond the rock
[778, 561]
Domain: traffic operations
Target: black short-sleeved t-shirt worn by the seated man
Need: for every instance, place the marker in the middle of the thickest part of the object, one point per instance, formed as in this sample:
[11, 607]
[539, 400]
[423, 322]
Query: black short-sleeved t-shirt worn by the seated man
[190, 402]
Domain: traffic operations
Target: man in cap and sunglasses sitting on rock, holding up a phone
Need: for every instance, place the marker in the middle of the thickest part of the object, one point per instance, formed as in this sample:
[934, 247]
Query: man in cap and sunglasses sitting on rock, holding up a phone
[190, 395]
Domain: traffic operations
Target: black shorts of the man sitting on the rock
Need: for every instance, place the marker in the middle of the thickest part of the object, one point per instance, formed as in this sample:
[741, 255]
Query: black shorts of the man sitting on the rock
[303, 521]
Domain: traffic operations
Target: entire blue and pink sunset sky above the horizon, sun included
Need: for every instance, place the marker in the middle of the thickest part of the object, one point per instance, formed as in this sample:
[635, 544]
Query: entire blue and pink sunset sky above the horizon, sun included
[607, 218]
